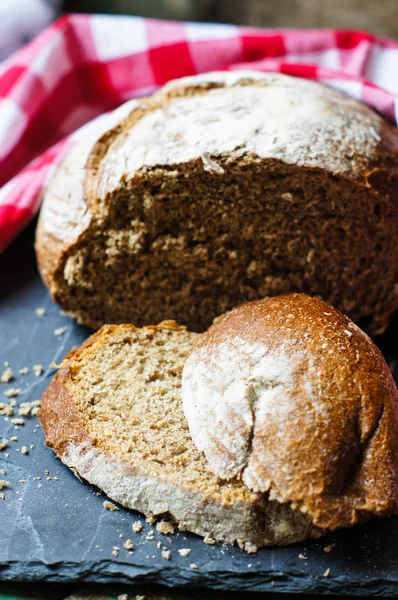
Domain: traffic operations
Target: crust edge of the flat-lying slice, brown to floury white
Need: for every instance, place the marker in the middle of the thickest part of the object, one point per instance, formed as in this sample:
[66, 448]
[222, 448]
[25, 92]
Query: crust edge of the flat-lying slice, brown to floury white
[252, 522]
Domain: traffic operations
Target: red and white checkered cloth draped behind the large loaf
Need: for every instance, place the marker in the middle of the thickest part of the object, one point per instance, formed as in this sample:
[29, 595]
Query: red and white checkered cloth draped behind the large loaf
[82, 66]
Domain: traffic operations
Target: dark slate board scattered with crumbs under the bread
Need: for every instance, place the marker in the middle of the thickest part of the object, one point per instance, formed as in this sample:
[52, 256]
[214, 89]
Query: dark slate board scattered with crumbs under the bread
[58, 529]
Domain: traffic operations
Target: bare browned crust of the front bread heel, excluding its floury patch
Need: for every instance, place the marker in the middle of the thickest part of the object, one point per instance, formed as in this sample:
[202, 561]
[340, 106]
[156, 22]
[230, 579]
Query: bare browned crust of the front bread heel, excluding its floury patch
[344, 470]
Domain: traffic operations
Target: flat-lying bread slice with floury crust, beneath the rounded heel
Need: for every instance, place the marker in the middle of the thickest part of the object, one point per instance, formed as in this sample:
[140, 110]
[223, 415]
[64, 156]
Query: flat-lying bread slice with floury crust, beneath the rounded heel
[113, 414]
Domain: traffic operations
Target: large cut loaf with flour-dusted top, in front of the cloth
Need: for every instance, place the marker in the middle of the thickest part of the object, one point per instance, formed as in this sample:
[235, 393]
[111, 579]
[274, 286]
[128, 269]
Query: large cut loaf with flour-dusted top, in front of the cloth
[223, 188]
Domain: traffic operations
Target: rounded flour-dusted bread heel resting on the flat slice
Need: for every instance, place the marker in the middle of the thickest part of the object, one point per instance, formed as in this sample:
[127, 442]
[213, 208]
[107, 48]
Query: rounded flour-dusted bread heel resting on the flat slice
[292, 397]
